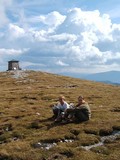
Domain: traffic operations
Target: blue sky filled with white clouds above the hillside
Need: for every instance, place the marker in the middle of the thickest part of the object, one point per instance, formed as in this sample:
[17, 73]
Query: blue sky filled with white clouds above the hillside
[60, 36]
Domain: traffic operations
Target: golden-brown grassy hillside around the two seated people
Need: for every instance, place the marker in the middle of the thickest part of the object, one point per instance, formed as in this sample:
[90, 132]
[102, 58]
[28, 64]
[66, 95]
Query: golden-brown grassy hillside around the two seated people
[25, 112]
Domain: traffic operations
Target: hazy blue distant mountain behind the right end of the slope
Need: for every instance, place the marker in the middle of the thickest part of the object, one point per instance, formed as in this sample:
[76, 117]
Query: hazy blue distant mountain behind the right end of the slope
[111, 77]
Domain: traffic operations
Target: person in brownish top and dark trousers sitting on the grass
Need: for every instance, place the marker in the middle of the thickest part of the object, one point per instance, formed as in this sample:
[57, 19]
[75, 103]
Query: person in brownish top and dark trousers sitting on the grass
[81, 112]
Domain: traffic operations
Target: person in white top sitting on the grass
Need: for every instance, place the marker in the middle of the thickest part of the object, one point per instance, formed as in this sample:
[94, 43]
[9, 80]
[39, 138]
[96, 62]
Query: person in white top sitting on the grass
[59, 109]
